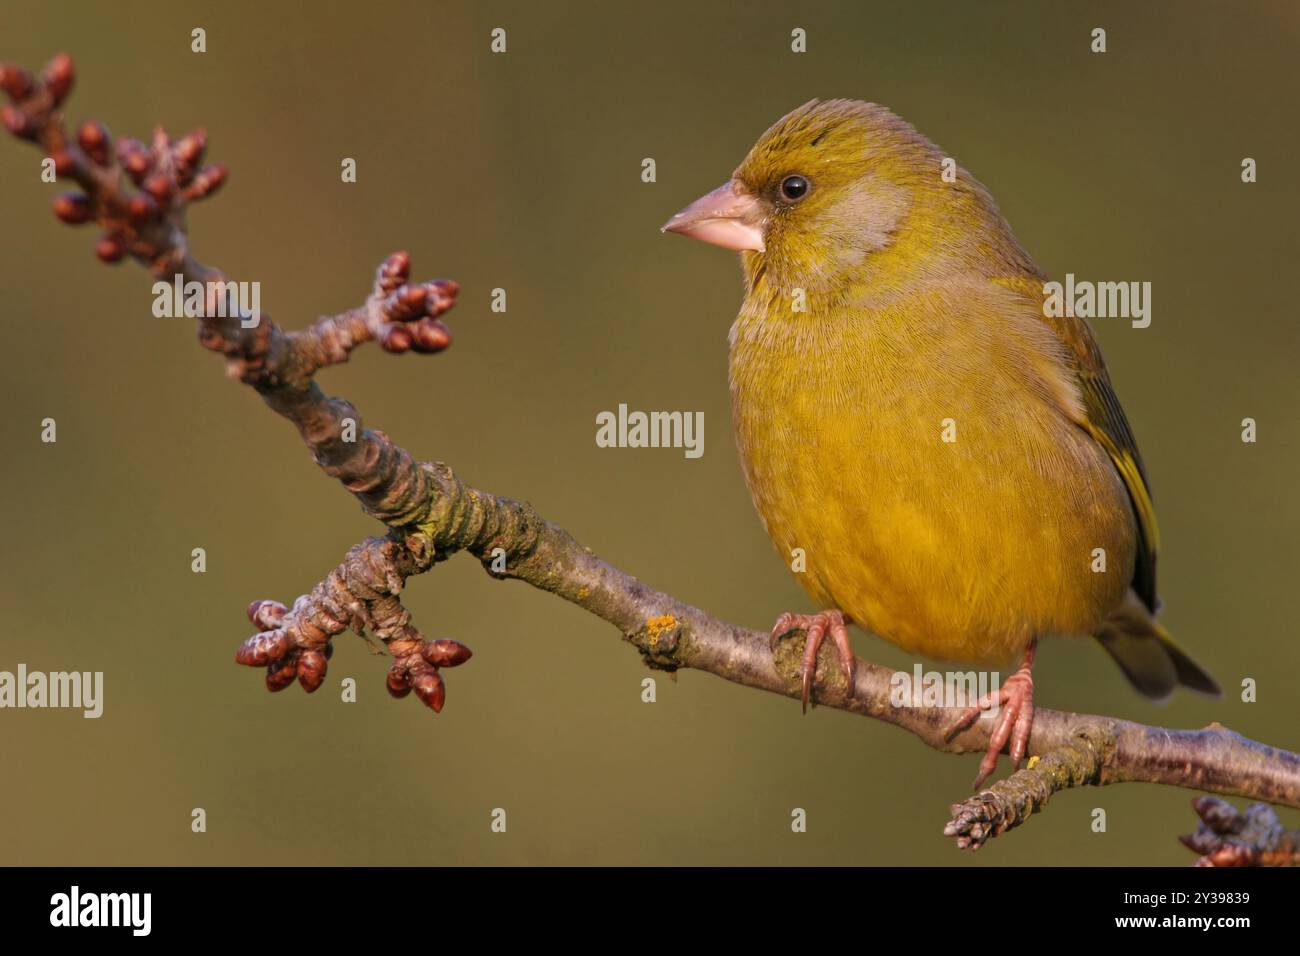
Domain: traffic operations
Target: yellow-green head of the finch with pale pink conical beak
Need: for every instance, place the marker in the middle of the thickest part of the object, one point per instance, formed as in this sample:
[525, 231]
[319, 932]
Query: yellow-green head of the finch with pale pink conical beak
[829, 187]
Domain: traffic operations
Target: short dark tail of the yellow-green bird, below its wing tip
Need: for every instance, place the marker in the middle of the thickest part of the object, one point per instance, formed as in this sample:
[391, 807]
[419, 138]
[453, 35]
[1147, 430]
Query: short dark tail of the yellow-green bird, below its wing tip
[1149, 656]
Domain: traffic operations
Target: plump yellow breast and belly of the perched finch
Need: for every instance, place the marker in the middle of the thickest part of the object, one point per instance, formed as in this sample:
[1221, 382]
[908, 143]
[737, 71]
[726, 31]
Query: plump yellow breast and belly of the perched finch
[928, 478]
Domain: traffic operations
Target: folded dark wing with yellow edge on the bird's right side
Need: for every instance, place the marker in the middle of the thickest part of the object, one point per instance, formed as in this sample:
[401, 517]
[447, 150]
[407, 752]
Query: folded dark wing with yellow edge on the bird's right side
[1104, 419]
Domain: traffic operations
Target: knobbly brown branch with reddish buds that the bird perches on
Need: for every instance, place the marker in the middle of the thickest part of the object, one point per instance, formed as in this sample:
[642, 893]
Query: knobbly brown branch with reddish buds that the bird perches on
[431, 514]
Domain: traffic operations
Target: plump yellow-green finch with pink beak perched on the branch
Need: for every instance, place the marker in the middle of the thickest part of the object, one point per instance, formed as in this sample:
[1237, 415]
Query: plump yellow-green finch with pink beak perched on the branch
[944, 451]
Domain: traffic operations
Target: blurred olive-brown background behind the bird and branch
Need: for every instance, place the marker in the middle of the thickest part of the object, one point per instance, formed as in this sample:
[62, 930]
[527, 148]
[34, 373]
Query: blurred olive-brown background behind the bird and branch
[522, 171]
